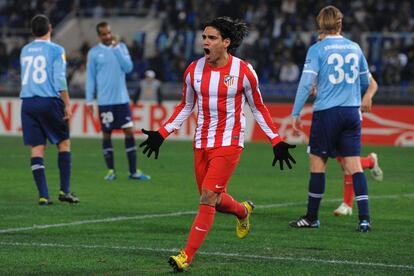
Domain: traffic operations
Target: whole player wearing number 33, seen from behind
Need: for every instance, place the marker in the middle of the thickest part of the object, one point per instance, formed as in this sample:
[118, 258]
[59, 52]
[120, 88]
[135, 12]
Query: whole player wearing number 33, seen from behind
[340, 71]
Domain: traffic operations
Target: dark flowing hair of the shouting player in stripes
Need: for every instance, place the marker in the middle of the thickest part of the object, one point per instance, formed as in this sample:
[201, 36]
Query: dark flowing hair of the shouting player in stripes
[233, 29]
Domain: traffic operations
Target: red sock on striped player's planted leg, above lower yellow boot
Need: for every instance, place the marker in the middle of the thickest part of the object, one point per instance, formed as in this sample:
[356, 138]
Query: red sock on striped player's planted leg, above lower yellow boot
[201, 225]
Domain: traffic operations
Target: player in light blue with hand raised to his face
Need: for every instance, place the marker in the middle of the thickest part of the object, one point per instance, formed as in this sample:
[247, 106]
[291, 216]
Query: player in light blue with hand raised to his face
[108, 62]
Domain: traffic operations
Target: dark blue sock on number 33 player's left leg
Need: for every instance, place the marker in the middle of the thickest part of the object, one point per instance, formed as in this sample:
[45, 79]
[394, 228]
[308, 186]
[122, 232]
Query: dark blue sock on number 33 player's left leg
[316, 191]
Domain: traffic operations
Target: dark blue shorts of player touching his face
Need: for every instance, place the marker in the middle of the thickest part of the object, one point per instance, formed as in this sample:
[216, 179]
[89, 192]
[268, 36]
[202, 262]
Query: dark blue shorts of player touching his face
[117, 116]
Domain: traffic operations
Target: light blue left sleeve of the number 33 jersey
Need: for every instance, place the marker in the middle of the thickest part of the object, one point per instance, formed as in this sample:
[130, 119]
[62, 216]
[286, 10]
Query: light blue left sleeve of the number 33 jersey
[309, 74]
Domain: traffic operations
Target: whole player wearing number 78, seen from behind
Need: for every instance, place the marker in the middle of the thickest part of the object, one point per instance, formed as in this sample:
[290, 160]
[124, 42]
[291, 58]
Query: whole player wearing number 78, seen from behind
[46, 107]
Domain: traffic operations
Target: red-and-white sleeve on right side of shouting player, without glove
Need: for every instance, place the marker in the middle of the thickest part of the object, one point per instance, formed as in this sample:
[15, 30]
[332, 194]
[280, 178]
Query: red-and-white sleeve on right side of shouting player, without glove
[259, 110]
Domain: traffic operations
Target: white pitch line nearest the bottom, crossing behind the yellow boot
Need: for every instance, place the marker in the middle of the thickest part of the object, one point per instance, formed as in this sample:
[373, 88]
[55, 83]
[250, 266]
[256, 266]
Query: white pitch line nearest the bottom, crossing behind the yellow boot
[236, 255]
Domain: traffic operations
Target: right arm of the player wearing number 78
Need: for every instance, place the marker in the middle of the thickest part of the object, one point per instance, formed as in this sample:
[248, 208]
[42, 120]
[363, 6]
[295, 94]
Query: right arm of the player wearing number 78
[60, 82]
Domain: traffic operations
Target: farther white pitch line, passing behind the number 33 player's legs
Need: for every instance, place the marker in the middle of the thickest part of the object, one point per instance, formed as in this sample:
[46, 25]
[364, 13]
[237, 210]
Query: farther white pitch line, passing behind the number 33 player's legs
[175, 214]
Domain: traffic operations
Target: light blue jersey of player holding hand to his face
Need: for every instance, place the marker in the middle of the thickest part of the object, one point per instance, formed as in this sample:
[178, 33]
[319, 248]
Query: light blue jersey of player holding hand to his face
[106, 70]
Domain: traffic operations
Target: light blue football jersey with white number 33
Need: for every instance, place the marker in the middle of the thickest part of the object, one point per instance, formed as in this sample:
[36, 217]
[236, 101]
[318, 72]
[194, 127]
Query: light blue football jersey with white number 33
[339, 70]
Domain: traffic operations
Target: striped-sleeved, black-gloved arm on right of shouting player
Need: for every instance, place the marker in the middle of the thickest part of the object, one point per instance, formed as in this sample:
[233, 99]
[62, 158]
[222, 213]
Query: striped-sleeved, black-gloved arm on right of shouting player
[263, 118]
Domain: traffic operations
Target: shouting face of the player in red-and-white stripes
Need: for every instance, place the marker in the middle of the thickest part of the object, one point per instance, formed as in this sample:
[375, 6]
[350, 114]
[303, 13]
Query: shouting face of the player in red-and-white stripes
[215, 47]
